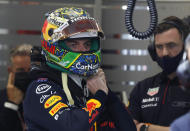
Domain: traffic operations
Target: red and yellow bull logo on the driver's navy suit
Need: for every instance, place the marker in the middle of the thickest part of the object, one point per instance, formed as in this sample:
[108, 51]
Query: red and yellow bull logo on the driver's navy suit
[91, 106]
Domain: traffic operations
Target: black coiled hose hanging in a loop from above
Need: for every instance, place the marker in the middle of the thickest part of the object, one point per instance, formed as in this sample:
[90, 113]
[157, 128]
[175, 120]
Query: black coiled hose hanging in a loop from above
[129, 20]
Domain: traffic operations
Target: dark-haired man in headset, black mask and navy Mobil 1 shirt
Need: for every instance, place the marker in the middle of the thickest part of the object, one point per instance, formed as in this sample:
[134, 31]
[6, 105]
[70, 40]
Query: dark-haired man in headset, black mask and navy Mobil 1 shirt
[157, 101]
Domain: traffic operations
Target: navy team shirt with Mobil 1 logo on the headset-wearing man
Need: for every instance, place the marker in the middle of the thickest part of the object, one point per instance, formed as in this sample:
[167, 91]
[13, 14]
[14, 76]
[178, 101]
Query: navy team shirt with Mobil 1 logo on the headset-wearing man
[158, 100]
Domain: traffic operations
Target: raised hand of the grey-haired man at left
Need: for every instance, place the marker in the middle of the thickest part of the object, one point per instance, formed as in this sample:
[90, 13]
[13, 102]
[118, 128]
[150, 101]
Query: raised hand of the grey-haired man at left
[14, 94]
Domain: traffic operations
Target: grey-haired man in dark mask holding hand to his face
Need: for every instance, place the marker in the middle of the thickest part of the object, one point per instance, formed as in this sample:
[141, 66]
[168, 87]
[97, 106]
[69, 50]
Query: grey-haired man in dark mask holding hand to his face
[11, 97]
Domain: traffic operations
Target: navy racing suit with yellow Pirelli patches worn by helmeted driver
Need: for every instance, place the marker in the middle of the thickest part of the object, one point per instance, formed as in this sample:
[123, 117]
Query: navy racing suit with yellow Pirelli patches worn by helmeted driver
[47, 108]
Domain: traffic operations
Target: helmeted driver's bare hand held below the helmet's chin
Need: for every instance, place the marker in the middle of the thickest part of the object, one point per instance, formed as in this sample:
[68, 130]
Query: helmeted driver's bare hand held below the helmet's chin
[97, 82]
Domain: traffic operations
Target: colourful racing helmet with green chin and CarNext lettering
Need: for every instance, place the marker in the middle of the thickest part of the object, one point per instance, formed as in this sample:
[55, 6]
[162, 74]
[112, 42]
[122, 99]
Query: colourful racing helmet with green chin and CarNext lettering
[71, 23]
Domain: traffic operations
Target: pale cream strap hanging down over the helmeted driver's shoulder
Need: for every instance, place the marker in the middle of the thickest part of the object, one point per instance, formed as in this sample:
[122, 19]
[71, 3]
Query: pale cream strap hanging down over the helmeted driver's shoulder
[66, 89]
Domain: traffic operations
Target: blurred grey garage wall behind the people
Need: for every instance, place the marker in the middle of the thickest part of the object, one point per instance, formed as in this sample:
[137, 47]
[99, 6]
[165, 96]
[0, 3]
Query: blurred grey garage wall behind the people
[125, 59]
